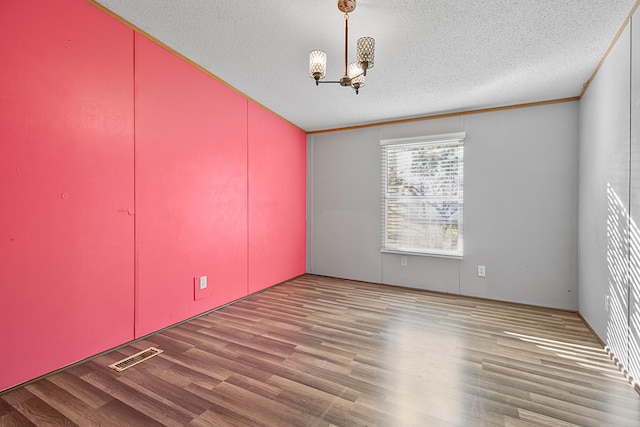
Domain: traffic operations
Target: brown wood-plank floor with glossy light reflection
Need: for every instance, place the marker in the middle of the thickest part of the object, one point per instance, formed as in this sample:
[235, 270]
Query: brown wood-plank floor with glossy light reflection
[316, 351]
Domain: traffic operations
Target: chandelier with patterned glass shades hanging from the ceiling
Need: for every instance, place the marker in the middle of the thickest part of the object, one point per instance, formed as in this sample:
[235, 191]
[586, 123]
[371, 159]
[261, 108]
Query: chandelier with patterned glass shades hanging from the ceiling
[355, 72]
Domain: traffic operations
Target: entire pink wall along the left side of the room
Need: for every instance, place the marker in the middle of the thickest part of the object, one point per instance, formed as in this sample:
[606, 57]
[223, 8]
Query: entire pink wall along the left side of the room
[125, 174]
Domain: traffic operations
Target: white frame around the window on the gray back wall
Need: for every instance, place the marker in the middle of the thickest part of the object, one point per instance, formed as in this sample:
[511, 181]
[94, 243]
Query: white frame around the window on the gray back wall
[449, 138]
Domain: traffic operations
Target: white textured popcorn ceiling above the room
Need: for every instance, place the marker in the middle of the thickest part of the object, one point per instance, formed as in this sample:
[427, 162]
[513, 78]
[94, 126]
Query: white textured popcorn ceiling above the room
[432, 56]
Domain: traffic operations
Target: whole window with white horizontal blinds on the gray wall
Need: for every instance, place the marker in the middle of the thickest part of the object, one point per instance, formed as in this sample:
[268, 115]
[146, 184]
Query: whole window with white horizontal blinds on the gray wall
[422, 195]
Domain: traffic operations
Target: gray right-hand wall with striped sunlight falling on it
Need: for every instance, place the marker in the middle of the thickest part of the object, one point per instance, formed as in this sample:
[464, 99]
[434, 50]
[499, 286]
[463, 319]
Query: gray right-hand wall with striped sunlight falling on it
[609, 200]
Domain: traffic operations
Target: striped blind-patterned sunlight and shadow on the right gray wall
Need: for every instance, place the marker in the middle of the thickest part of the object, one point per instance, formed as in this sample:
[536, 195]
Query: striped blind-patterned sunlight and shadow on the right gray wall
[623, 296]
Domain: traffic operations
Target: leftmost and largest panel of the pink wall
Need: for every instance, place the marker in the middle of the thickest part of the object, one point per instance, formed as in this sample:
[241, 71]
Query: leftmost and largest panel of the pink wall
[66, 180]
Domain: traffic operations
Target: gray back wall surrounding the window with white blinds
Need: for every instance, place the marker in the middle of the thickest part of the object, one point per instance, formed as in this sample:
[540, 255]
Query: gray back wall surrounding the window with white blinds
[520, 207]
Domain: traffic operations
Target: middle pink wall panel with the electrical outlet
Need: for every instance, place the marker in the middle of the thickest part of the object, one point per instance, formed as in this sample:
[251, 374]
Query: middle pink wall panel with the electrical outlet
[191, 189]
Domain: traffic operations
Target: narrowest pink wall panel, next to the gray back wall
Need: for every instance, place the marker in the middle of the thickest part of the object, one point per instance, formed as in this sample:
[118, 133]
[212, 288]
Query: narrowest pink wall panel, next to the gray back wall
[277, 200]
